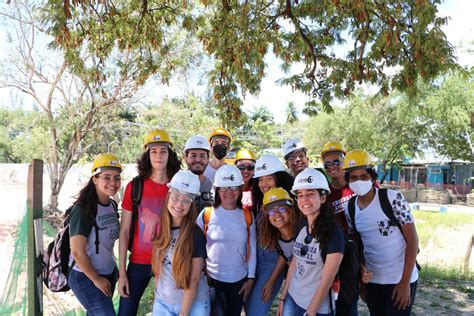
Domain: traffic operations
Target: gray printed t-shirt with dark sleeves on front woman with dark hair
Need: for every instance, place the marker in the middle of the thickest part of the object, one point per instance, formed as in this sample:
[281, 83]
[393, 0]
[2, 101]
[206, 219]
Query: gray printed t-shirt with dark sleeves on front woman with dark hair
[307, 276]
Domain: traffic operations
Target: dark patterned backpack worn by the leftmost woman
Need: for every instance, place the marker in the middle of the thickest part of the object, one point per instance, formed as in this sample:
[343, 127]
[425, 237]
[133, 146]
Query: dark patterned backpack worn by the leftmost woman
[56, 259]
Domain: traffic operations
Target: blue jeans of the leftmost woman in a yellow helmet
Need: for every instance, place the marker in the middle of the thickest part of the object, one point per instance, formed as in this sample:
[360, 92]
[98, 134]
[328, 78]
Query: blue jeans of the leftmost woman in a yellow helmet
[91, 298]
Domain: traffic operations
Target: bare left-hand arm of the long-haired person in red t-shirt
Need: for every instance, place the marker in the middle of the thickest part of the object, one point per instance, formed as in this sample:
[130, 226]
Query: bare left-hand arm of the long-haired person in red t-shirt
[123, 287]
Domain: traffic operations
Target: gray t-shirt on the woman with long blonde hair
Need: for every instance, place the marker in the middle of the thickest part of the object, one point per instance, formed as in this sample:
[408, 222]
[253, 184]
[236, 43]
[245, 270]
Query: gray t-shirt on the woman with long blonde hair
[166, 290]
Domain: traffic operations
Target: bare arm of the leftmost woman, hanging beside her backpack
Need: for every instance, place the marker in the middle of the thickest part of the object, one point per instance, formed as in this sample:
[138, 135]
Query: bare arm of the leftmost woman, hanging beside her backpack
[78, 245]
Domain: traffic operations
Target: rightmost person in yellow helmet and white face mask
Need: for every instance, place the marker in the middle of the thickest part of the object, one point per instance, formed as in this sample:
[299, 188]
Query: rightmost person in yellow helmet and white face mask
[389, 248]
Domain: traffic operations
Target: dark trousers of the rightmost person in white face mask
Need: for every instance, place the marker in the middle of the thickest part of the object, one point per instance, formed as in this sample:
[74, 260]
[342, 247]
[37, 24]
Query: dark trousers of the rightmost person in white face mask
[379, 300]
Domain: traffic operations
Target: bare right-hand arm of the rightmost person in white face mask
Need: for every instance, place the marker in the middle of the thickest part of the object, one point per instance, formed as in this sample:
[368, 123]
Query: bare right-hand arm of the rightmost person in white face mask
[401, 292]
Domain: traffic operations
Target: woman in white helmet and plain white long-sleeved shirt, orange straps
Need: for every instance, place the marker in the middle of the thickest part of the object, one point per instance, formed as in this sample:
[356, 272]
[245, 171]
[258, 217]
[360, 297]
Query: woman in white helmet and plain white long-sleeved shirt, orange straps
[231, 240]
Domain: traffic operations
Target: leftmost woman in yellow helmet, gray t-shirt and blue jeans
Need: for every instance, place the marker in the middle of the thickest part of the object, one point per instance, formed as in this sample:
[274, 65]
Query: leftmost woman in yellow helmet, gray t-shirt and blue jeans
[93, 230]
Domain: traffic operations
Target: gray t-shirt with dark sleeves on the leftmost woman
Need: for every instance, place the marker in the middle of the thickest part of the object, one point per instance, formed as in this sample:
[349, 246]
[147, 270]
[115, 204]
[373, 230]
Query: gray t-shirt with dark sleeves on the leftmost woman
[109, 227]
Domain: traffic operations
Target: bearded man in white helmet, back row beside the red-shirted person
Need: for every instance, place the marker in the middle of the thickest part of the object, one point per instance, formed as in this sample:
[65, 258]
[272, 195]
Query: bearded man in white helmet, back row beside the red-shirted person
[196, 155]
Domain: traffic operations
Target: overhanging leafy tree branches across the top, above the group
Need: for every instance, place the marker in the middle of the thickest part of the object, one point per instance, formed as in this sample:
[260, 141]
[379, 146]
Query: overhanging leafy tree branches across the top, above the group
[389, 44]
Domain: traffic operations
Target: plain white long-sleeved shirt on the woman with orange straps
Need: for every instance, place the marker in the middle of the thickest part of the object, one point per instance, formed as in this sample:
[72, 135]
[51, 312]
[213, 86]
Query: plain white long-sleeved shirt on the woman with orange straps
[227, 242]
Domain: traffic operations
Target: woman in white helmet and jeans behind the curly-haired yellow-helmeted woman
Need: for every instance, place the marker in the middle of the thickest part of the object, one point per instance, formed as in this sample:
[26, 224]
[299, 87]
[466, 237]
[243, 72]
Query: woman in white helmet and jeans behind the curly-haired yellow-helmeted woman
[269, 173]
